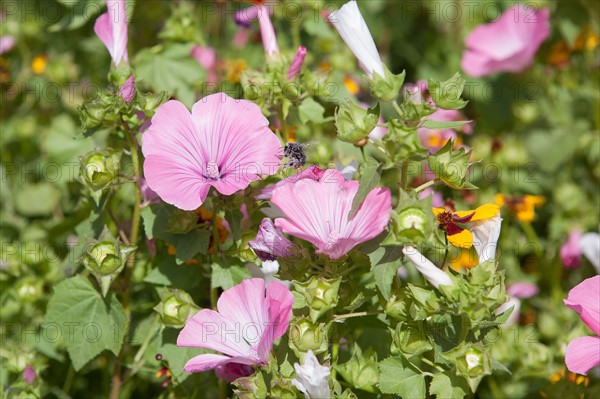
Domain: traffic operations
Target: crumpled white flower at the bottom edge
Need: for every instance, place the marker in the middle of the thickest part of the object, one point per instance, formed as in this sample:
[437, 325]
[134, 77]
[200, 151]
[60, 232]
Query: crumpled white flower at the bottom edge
[312, 379]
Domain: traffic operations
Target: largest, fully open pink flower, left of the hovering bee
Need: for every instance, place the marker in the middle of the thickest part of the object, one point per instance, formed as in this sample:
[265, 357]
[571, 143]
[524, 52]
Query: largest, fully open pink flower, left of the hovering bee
[224, 143]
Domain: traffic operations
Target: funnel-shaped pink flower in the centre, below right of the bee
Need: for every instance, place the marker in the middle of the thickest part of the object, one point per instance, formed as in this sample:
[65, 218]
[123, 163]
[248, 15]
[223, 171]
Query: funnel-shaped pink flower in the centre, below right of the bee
[317, 211]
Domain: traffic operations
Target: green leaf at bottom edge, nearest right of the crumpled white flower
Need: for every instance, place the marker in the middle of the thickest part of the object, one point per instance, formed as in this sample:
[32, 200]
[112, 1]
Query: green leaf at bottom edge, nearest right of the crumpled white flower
[396, 377]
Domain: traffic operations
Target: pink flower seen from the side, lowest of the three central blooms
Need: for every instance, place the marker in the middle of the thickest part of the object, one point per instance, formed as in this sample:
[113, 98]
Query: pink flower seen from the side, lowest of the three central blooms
[248, 321]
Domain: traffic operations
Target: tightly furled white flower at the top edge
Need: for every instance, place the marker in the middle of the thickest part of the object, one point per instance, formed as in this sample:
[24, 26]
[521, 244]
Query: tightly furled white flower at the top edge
[352, 27]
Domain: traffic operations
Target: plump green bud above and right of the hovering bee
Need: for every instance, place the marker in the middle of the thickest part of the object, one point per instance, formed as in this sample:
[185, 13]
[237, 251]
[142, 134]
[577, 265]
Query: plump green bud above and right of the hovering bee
[353, 122]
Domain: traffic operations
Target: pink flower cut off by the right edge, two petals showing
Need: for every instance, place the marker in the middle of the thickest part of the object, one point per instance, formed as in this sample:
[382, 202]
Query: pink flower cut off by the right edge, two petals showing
[584, 353]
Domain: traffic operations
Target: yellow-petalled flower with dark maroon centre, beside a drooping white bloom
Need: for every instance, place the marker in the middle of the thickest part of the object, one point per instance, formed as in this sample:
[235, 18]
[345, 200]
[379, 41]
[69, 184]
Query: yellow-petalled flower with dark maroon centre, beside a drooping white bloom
[458, 236]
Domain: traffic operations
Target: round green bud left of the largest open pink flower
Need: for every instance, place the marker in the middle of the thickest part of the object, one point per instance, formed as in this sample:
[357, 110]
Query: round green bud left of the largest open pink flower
[99, 168]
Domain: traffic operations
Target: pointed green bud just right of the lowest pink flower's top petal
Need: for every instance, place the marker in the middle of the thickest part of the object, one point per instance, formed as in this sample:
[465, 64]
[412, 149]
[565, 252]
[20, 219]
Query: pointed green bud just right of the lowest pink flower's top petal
[321, 295]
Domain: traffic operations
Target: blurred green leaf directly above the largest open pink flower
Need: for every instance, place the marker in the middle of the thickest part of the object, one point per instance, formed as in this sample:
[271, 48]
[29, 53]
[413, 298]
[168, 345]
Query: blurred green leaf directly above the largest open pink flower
[170, 68]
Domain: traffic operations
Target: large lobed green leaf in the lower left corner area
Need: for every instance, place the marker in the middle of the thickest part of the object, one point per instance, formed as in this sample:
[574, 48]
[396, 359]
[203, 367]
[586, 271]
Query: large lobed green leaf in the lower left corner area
[87, 323]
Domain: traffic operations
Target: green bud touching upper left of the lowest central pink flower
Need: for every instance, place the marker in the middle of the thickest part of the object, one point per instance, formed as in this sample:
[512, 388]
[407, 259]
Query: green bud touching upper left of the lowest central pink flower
[175, 307]
